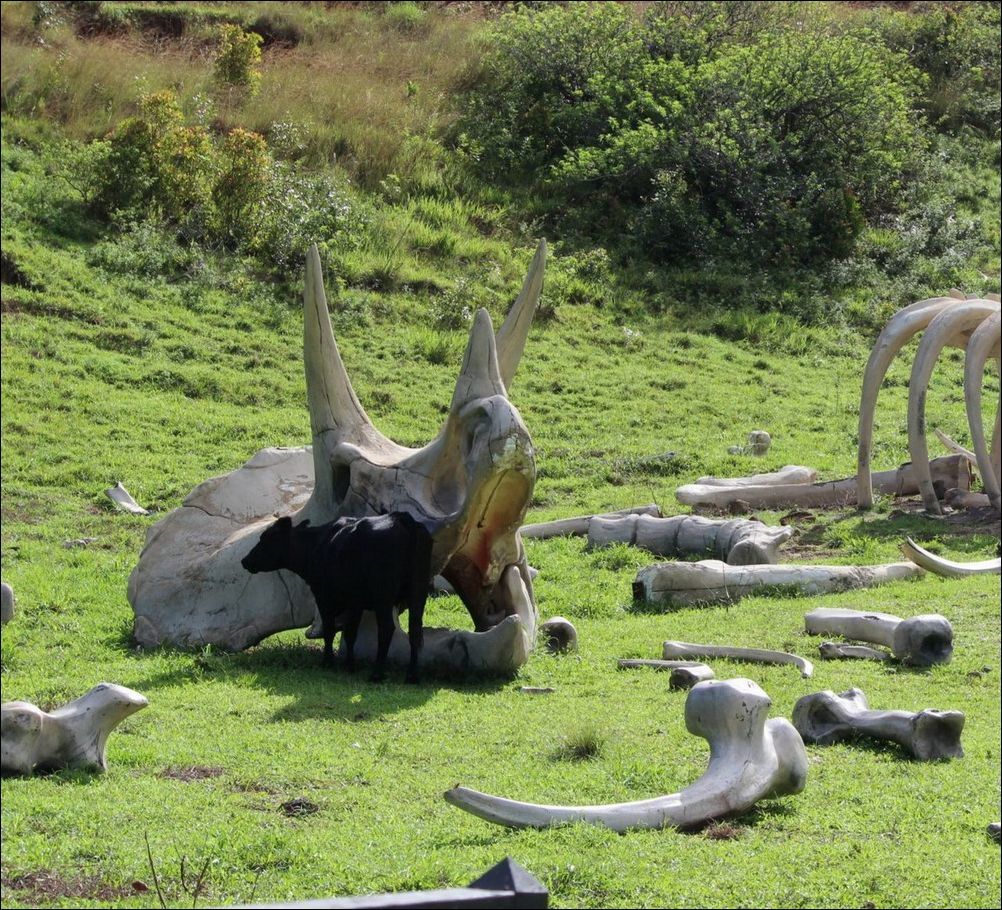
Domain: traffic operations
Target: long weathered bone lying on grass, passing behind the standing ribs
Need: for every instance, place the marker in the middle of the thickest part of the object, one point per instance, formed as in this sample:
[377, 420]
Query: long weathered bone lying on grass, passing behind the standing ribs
[948, 473]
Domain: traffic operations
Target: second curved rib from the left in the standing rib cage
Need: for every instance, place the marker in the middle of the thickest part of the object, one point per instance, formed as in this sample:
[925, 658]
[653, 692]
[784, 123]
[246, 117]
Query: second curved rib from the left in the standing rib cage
[949, 327]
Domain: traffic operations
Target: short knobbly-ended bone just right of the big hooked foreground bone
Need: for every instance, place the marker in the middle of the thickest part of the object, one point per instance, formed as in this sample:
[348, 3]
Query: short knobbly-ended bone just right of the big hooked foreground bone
[825, 718]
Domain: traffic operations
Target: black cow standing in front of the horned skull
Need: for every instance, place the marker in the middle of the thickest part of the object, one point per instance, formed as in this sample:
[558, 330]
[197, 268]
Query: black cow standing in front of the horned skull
[351, 566]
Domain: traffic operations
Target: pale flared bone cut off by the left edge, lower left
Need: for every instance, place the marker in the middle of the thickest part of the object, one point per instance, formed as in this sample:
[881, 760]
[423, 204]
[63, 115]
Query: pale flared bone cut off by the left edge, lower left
[74, 736]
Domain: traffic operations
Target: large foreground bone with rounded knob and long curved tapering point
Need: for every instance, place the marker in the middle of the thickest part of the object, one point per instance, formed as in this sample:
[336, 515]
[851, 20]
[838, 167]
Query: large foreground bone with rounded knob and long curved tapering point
[752, 758]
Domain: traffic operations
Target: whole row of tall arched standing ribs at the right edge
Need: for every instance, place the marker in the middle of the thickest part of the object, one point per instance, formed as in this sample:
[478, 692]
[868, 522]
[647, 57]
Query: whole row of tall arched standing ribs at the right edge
[946, 321]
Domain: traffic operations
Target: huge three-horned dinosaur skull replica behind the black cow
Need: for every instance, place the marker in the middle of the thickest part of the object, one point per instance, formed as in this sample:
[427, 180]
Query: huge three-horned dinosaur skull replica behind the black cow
[471, 487]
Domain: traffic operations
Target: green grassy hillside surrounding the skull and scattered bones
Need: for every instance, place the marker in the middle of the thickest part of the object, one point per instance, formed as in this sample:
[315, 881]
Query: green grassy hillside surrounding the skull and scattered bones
[133, 355]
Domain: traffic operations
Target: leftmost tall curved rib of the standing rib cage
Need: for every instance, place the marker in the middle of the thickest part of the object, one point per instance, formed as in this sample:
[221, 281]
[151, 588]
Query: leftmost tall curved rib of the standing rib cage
[899, 330]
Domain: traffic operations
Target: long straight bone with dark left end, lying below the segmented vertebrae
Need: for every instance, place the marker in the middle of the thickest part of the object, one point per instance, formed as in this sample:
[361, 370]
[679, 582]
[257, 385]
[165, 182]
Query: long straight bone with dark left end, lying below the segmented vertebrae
[713, 582]
